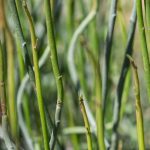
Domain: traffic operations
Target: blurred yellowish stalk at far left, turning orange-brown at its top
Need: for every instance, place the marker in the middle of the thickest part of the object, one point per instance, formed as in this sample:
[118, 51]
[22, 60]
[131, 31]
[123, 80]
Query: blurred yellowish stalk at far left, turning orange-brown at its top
[10, 76]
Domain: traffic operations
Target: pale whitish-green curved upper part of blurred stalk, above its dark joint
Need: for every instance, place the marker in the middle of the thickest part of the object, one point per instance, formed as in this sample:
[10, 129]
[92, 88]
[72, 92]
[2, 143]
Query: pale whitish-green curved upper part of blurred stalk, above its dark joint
[77, 33]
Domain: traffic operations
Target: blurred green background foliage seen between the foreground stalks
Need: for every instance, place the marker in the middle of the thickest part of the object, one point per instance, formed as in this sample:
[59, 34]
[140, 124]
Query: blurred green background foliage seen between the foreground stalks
[67, 16]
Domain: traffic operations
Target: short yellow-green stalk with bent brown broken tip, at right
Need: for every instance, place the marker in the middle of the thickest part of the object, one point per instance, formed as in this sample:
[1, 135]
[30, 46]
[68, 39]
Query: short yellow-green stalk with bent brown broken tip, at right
[139, 114]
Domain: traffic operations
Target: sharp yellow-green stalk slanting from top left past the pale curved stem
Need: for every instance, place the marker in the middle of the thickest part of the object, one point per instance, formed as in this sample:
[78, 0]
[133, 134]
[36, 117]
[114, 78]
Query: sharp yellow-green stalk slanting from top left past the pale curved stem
[37, 77]
